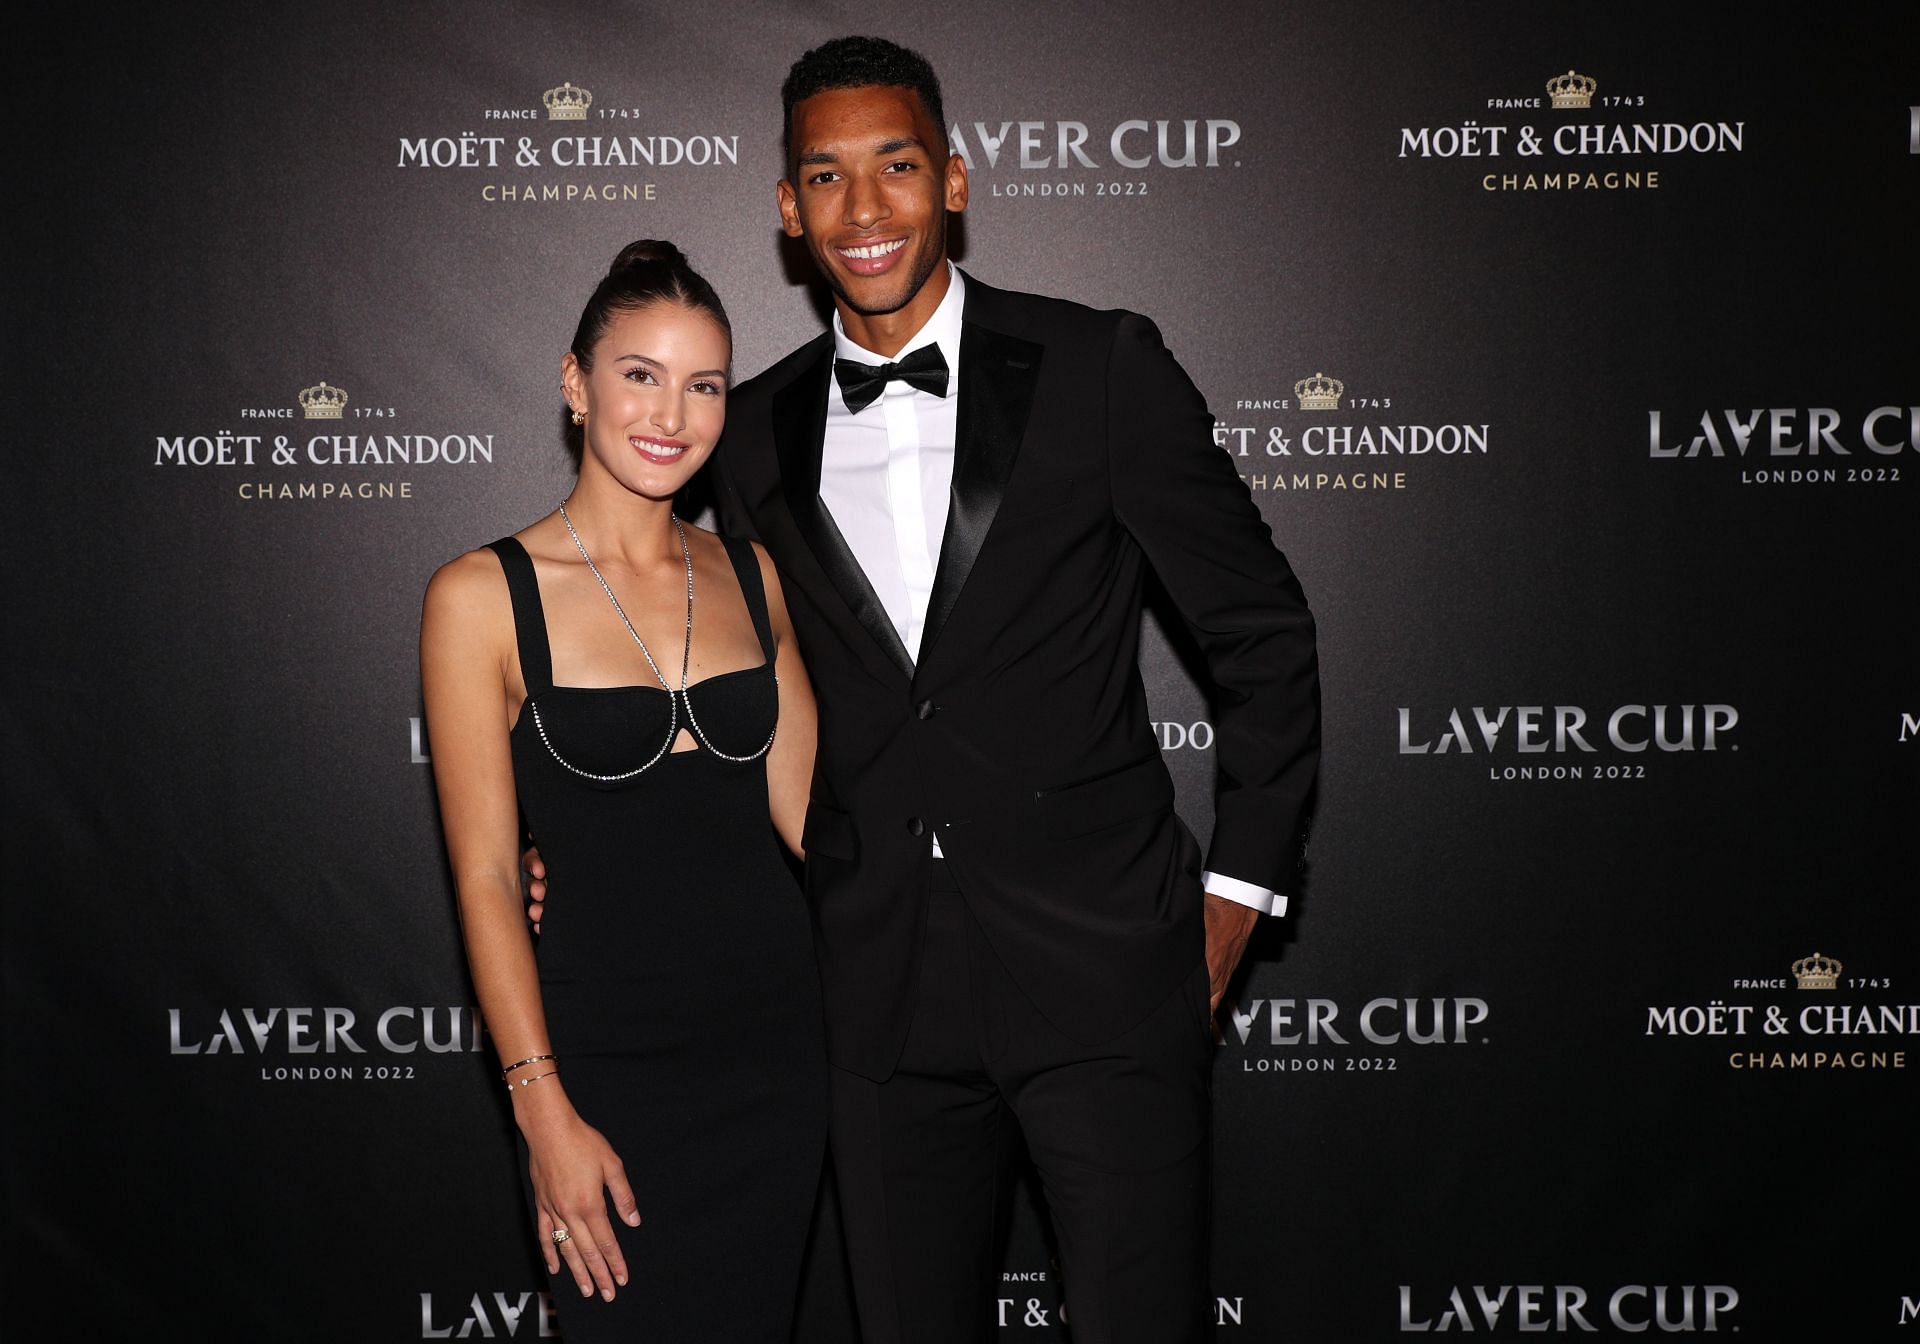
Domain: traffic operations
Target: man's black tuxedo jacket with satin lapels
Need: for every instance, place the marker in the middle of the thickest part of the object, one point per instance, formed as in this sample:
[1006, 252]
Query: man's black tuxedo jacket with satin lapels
[1020, 738]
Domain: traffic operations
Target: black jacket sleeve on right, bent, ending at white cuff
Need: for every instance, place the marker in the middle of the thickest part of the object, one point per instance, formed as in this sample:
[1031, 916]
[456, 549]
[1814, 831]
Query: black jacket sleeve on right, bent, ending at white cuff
[1193, 517]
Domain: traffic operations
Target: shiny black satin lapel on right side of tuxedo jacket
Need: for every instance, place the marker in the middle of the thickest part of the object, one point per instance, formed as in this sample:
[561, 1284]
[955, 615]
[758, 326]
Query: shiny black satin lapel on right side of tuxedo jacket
[997, 379]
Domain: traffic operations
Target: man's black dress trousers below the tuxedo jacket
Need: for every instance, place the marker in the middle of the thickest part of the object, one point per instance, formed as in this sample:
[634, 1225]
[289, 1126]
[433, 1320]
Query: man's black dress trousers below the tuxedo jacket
[1118, 1134]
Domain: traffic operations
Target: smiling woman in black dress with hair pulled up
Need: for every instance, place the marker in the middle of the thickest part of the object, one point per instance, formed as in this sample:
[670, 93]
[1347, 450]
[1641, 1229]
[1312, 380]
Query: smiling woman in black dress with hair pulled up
[631, 688]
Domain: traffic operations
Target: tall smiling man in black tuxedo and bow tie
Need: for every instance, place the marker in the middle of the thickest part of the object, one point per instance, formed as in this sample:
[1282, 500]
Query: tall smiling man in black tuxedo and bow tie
[963, 491]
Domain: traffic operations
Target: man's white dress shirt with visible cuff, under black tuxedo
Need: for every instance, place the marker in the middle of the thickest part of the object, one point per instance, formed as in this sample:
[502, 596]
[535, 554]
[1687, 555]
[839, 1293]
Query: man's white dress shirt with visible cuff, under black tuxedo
[886, 475]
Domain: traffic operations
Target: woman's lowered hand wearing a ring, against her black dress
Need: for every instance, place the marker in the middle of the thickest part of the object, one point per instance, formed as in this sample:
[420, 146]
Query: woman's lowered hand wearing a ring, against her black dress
[573, 1164]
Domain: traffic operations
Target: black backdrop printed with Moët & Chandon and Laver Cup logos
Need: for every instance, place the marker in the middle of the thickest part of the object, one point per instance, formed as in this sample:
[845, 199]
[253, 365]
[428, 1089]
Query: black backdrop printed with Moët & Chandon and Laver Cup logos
[1570, 350]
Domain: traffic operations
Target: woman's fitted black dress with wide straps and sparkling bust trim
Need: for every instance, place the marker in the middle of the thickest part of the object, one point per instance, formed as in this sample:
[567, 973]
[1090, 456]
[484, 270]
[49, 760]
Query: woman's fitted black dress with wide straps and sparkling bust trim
[679, 982]
